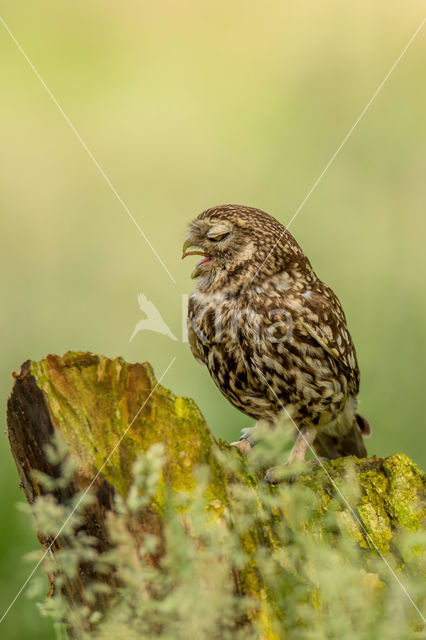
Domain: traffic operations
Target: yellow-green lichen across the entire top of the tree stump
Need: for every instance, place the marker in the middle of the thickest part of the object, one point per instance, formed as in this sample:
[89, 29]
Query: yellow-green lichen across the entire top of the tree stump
[109, 411]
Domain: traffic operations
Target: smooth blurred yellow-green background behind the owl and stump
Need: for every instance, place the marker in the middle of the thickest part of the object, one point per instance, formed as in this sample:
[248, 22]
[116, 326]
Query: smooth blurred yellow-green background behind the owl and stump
[185, 105]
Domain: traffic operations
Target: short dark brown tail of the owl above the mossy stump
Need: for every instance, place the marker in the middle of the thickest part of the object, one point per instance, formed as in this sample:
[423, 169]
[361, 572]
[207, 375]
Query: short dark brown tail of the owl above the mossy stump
[351, 444]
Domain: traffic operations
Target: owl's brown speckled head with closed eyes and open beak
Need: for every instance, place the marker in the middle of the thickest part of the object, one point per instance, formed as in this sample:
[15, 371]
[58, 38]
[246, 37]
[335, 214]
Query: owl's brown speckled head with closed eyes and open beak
[237, 243]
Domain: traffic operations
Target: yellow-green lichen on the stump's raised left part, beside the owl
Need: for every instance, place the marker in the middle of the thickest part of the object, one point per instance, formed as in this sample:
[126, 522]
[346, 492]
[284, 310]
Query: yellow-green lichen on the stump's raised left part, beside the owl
[97, 402]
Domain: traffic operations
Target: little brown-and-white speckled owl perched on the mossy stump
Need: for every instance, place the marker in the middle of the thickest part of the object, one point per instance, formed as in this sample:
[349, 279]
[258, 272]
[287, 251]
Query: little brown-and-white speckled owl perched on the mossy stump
[272, 335]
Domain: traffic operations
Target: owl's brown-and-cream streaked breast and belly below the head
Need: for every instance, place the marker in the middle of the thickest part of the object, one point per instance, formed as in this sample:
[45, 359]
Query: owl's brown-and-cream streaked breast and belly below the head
[262, 362]
